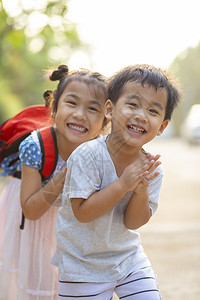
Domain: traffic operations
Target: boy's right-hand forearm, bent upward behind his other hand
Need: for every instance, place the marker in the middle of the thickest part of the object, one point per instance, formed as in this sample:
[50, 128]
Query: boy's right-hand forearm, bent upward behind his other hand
[138, 211]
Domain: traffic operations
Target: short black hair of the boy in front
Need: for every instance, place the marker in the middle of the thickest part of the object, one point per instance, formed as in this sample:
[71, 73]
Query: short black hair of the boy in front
[145, 74]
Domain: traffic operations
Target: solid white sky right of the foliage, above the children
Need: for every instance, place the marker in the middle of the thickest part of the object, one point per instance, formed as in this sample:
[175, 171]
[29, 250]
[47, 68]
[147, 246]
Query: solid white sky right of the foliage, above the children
[130, 32]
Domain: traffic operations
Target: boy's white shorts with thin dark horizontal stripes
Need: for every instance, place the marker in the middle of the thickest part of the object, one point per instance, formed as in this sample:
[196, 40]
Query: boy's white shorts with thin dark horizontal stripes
[140, 284]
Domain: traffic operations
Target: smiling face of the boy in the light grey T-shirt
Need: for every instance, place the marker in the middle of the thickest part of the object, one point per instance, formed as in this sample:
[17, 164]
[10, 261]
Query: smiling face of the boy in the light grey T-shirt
[138, 115]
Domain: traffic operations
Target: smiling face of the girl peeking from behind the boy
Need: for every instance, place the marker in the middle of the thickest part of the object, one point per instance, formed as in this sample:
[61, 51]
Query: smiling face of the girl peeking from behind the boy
[80, 114]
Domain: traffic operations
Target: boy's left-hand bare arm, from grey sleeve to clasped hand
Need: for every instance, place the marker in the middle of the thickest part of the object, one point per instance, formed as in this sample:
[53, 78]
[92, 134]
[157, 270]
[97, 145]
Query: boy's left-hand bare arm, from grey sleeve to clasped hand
[86, 210]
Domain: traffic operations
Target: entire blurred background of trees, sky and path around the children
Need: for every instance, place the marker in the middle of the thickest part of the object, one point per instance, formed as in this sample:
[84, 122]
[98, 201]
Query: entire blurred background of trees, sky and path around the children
[105, 36]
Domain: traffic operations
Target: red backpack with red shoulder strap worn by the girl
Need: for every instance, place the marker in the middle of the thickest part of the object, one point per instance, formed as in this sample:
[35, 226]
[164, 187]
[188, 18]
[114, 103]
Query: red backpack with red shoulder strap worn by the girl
[17, 128]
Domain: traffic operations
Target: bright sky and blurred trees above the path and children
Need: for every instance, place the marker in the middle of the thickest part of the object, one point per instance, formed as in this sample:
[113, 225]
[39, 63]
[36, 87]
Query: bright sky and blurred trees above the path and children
[104, 36]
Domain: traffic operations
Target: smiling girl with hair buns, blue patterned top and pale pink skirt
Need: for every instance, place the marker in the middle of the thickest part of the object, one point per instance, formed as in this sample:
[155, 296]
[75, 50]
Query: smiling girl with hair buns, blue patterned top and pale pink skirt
[78, 111]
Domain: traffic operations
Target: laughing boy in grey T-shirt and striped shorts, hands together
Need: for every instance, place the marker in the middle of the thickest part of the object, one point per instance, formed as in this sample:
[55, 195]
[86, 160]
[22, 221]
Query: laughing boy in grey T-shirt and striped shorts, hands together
[111, 189]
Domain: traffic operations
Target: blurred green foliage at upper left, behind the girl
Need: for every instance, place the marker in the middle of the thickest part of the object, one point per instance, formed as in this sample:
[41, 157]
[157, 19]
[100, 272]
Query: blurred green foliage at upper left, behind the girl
[26, 53]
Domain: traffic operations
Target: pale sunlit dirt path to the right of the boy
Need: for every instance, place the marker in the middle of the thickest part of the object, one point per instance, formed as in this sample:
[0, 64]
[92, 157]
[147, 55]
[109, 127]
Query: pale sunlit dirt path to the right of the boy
[172, 238]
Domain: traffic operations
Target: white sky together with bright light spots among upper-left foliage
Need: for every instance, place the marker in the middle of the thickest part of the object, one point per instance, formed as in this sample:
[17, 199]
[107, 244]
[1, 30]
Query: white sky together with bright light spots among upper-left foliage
[117, 33]
